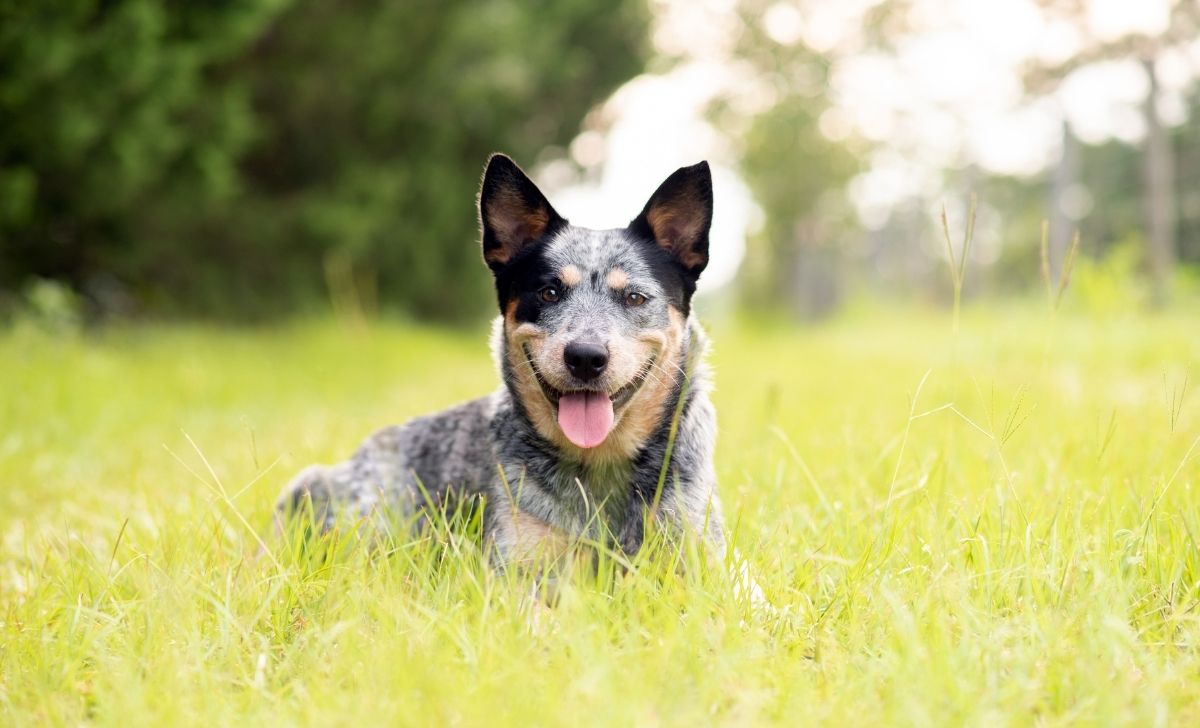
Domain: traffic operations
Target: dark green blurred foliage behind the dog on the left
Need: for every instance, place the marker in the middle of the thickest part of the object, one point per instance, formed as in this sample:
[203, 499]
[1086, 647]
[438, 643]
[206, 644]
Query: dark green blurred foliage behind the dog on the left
[244, 158]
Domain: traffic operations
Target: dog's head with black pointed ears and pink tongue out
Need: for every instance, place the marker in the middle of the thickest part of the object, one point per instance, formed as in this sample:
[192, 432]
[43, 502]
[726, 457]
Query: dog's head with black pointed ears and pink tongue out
[595, 321]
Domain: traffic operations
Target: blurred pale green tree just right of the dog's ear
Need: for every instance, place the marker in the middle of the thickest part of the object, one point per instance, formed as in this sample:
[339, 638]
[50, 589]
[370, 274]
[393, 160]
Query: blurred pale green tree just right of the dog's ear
[796, 173]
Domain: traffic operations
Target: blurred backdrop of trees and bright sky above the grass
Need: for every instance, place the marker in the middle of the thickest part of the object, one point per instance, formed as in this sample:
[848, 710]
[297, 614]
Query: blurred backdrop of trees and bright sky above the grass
[271, 158]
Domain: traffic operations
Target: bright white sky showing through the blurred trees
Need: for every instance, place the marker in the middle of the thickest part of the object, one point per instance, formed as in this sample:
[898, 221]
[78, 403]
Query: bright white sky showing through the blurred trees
[952, 95]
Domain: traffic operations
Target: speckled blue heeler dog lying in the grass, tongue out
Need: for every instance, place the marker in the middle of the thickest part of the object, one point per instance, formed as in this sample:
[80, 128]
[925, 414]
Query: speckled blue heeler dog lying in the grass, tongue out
[604, 416]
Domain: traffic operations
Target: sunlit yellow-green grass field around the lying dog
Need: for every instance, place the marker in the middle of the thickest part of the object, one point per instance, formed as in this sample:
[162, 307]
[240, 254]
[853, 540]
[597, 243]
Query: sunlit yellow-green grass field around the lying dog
[992, 528]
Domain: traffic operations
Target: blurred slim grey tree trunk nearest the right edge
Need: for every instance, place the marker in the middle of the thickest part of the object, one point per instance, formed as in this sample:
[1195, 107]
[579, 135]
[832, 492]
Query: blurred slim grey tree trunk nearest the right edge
[1159, 190]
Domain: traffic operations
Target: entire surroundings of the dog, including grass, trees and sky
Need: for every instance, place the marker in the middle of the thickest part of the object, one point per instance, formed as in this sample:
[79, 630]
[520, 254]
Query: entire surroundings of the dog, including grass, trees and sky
[235, 238]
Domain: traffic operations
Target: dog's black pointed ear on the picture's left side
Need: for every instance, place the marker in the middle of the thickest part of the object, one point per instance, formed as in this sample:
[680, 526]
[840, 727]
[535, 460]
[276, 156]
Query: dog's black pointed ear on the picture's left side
[513, 212]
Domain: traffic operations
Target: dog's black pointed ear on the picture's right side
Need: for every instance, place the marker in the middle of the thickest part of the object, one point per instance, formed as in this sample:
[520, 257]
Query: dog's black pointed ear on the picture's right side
[680, 215]
